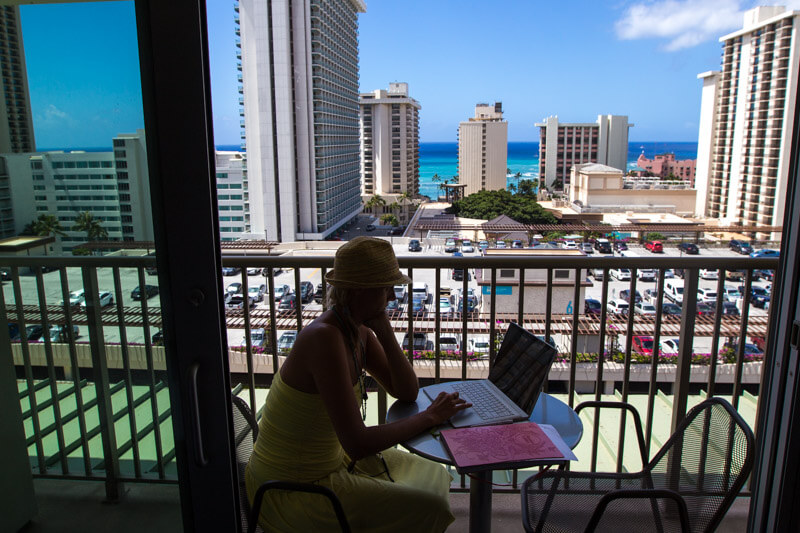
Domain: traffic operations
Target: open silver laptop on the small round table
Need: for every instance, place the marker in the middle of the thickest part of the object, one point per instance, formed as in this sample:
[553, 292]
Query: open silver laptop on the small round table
[515, 382]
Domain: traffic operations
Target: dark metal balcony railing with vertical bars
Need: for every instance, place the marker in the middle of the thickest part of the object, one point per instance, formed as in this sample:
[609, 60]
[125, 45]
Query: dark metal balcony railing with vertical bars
[96, 404]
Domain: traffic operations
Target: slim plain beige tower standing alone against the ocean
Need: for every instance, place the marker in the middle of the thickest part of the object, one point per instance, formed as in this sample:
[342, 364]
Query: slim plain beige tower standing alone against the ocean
[483, 150]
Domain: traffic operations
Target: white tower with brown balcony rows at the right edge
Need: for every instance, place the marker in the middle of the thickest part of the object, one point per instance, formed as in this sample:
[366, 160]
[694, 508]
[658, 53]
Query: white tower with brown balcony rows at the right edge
[746, 122]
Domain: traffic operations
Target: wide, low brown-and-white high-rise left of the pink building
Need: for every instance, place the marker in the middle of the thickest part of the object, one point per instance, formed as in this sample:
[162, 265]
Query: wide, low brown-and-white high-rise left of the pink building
[562, 145]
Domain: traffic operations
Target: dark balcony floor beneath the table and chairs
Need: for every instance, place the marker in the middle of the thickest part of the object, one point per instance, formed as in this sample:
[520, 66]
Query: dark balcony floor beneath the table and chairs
[67, 506]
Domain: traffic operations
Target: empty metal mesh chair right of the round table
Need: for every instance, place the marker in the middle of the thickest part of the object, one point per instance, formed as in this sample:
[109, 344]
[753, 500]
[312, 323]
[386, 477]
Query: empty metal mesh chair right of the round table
[687, 486]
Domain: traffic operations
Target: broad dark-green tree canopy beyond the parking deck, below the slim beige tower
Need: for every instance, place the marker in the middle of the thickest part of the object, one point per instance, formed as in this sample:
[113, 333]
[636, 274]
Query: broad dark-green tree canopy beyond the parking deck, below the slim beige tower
[490, 204]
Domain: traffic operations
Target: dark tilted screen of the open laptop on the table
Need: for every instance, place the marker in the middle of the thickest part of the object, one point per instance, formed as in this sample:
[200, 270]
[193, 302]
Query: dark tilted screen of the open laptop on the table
[521, 366]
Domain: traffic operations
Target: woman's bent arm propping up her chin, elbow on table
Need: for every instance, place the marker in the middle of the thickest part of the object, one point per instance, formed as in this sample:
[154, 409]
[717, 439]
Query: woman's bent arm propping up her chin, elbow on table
[386, 362]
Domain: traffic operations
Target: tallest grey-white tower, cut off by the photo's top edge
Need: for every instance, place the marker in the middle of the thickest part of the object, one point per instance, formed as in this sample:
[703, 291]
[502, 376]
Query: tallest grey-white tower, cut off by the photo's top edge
[299, 64]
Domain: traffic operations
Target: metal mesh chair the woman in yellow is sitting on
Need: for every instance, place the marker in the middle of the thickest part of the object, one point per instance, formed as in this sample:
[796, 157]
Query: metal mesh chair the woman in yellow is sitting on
[245, 431]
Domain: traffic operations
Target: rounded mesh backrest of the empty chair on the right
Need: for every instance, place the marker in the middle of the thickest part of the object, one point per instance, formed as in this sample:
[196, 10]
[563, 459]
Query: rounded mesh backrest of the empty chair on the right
[706, 461]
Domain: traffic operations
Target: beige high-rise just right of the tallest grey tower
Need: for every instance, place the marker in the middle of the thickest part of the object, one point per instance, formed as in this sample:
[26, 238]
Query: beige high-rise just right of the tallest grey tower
[390, 145]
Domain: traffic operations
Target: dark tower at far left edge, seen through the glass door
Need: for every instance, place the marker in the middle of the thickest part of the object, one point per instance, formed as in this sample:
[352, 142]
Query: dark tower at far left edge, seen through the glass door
[16, 125]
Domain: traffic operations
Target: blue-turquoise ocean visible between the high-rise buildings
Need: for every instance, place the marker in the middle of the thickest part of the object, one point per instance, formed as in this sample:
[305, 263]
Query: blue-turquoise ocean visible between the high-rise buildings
[523, 157]
